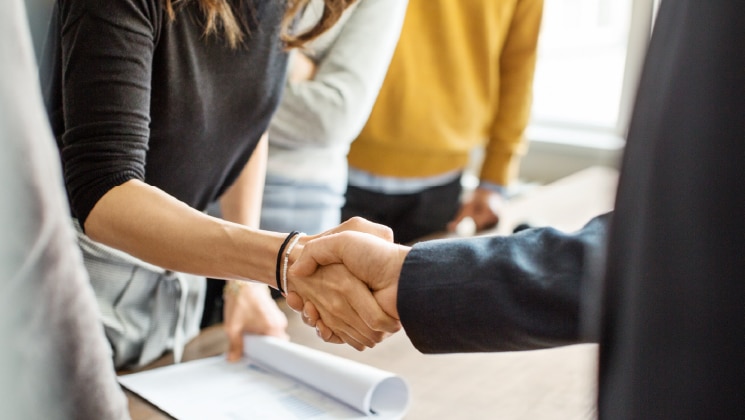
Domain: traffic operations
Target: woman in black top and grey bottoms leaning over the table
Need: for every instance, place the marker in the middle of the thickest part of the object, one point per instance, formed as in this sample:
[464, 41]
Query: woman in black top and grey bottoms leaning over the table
[159, 109]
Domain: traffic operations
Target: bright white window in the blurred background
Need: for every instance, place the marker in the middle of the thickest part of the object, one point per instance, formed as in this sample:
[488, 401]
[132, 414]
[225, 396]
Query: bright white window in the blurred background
[590, 54]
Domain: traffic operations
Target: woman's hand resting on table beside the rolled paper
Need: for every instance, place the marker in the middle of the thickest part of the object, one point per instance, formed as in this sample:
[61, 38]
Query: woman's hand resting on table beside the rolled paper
[251, 310]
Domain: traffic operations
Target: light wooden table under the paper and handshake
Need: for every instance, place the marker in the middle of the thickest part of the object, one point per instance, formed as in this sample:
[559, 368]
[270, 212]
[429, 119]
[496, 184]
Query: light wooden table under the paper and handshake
[543, 384]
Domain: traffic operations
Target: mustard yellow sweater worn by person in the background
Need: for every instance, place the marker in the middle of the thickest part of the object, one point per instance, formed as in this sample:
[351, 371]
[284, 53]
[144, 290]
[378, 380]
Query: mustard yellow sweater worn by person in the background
[461, 77]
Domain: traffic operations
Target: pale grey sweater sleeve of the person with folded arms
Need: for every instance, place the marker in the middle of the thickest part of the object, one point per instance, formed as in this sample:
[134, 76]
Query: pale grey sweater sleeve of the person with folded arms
[332, 108]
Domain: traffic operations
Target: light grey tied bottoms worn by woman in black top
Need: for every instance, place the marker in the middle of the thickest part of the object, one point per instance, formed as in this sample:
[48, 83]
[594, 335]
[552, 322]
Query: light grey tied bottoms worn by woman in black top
[146, 310]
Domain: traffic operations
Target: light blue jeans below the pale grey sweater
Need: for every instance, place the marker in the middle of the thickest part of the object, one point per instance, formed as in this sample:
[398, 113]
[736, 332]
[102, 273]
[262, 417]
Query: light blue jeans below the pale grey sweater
[291, 204]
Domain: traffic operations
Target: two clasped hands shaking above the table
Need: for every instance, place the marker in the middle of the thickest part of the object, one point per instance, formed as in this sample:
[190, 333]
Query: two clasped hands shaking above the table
[345, 283]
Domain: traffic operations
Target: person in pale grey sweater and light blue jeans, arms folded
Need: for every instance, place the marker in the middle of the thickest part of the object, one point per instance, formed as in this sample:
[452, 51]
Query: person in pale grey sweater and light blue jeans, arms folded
[331, 88]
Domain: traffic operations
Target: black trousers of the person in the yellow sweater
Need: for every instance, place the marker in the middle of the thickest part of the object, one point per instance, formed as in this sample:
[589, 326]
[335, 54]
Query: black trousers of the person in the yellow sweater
[411, 216]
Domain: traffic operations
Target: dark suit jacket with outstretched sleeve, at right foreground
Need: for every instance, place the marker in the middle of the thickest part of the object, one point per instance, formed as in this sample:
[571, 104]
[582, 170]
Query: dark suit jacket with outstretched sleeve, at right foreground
[667, 302]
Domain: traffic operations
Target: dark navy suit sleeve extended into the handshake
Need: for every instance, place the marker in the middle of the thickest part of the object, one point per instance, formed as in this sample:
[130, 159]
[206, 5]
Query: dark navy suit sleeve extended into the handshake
[498, 293]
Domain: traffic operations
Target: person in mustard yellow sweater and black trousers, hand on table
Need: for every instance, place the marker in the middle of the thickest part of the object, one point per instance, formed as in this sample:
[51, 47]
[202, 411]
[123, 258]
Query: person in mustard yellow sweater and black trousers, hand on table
[461, 78]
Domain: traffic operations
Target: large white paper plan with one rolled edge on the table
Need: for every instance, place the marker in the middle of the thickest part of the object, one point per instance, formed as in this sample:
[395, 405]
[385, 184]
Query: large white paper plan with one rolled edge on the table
[277, 379]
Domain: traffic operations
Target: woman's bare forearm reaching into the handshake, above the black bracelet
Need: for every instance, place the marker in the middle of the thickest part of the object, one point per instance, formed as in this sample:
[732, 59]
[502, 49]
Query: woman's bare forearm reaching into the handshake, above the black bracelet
[153, 226]
